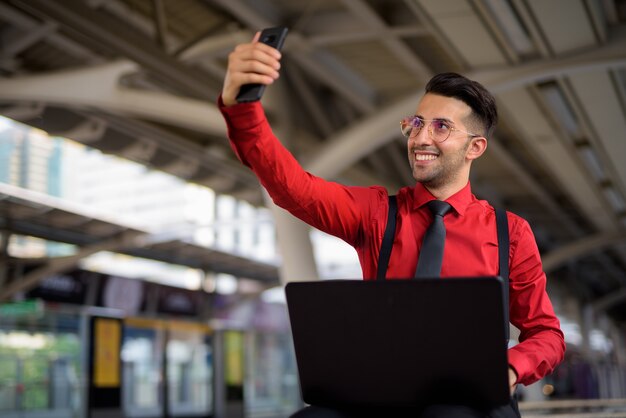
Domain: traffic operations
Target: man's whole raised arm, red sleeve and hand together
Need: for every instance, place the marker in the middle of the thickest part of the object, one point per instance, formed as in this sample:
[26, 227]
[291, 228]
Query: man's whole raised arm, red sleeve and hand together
[331, 207]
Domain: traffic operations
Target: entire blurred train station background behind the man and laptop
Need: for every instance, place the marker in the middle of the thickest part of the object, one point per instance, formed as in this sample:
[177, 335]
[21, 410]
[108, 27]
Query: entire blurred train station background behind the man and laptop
[142, 267]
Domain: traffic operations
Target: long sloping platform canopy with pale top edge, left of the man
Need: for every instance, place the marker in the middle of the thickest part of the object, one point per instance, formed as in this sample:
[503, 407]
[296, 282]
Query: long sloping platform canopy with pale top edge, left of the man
[25, 212]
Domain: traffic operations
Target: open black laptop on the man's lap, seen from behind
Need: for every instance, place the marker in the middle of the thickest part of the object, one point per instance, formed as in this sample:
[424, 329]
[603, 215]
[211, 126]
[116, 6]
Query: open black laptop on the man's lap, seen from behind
[400, 343]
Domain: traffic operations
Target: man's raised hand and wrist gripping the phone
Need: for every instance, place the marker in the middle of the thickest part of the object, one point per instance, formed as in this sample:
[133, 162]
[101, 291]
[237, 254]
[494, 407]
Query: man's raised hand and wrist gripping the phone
[252, 63]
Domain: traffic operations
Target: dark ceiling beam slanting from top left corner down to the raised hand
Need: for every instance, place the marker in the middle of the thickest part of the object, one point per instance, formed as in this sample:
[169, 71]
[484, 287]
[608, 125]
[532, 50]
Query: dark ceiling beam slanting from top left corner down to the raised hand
[76, 16]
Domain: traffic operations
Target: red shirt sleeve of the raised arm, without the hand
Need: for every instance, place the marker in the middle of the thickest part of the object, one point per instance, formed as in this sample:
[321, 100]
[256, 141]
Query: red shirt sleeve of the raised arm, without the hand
[331, 207]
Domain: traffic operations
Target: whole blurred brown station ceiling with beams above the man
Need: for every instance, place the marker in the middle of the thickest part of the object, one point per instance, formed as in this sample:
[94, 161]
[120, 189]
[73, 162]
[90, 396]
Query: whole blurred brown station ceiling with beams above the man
[139, 79]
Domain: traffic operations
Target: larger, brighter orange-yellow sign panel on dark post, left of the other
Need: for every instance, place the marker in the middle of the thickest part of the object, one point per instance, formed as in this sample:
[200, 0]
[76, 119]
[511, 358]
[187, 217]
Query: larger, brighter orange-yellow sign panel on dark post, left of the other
[107, 335]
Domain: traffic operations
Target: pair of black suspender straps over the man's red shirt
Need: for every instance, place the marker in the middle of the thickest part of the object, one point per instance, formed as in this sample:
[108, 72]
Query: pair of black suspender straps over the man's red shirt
[503, 252]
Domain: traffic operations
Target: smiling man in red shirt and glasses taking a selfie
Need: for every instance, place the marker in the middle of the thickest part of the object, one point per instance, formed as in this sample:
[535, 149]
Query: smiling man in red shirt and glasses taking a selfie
[447, 133]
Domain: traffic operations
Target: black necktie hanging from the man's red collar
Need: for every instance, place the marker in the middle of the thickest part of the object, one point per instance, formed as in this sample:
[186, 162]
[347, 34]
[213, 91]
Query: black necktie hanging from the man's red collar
[431, 254]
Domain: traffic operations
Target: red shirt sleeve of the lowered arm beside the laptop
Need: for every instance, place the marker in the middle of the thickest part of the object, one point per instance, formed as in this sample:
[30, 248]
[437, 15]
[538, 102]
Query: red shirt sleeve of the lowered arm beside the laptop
[542, 344]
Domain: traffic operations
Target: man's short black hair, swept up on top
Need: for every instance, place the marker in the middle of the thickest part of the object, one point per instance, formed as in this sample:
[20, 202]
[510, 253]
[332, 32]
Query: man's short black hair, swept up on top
[472, 93]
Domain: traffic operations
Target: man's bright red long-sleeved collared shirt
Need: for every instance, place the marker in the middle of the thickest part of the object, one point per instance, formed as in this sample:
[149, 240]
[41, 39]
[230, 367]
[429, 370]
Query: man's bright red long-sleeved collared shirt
[358, 215]
